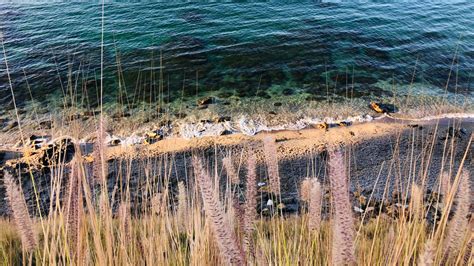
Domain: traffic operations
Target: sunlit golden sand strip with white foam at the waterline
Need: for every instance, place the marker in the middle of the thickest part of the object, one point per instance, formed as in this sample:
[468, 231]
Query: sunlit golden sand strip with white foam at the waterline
[308, 128]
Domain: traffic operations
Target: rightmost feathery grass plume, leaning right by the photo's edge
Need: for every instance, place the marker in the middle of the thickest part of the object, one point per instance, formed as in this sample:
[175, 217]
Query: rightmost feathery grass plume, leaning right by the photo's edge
[459, 224]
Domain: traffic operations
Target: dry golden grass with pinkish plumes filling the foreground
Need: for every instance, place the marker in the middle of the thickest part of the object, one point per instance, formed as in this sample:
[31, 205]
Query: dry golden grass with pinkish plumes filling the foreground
[210, 217]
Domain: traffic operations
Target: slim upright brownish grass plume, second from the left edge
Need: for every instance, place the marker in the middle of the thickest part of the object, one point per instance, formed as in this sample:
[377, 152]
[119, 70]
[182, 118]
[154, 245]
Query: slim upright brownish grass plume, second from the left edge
[74, 208]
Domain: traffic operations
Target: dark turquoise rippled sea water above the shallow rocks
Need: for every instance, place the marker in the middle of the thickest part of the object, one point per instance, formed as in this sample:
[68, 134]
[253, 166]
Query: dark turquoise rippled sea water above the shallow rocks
[237, 48]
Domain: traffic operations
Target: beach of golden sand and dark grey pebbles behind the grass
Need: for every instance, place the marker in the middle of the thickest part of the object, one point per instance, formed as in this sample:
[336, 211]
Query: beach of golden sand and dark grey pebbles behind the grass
[378, 153]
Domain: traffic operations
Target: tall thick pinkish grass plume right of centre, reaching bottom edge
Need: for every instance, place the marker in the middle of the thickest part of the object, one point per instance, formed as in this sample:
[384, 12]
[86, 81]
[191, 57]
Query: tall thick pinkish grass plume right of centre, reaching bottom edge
[343, 228]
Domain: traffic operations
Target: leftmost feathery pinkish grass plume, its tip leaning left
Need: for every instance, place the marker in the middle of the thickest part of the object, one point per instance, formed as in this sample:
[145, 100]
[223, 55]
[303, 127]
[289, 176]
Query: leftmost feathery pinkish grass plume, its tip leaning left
[20, 213]
